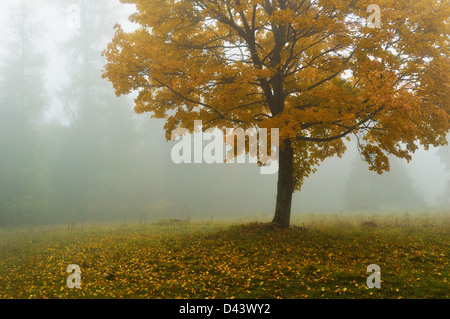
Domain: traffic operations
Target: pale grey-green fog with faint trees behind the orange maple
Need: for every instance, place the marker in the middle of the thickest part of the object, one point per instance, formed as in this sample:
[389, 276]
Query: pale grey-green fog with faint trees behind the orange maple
[71, 150]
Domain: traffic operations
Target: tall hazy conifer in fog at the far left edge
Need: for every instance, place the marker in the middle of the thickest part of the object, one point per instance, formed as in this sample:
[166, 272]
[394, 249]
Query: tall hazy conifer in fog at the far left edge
[24, 186]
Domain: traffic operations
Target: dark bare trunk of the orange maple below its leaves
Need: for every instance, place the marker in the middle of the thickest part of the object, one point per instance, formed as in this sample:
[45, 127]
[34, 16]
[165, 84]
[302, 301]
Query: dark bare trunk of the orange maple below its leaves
[285, 186]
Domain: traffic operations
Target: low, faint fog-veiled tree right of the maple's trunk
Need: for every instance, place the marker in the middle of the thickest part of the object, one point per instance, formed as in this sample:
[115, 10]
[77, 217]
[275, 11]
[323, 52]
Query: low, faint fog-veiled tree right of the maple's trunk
[394, 190]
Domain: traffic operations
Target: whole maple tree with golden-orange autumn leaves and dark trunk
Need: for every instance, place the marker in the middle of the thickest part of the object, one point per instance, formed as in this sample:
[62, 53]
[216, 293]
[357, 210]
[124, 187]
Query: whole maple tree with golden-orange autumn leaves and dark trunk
[314, 69]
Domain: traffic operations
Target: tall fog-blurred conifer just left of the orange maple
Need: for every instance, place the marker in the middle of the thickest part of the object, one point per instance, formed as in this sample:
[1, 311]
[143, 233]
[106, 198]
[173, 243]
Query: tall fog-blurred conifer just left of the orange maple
[92, 153]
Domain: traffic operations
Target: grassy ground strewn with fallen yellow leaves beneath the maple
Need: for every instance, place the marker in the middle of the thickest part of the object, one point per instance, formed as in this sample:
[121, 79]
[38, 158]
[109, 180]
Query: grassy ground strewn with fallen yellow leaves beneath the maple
[326, 259]
